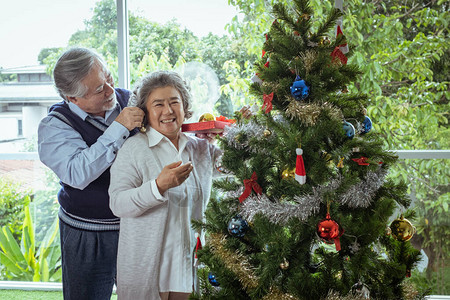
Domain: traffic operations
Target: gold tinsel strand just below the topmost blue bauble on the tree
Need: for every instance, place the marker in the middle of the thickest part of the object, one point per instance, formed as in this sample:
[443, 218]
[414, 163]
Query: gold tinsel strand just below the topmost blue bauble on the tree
[308, 113]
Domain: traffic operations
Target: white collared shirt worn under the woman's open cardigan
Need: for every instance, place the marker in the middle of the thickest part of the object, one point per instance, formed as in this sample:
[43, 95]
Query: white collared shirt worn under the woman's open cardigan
[176, 257]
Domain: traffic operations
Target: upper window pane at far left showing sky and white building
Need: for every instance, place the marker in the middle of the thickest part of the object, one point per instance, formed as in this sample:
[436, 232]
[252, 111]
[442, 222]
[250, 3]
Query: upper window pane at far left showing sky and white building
[32, 31]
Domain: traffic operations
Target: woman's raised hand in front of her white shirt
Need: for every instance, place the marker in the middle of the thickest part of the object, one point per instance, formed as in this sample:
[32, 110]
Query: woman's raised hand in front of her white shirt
[173, 175]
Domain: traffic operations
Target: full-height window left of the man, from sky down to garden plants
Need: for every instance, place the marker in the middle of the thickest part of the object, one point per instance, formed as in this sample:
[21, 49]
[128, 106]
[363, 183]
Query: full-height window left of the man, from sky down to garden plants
[33, 33]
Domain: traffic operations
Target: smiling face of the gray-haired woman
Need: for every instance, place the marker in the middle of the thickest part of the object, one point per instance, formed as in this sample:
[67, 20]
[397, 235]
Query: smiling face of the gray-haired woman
[165, 111]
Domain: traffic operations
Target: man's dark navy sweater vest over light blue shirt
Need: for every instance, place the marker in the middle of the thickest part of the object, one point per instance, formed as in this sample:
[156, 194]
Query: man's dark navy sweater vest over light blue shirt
[93, 201]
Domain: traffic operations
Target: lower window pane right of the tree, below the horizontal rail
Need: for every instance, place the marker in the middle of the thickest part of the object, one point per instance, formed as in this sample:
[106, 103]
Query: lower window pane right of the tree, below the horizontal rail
[428, 182]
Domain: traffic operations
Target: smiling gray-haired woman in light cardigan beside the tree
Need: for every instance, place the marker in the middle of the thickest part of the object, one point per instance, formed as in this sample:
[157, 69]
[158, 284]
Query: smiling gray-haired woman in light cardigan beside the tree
[160, 180]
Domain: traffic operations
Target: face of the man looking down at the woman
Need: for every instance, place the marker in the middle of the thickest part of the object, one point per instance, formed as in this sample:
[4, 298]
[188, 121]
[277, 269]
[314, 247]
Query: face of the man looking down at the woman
[100, 95]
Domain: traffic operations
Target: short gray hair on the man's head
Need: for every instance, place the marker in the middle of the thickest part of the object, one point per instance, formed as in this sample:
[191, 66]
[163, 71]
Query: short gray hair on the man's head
[71, 68]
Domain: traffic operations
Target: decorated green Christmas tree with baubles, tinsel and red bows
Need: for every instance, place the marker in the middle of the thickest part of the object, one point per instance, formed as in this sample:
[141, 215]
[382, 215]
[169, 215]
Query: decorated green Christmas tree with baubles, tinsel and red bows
[307, 206]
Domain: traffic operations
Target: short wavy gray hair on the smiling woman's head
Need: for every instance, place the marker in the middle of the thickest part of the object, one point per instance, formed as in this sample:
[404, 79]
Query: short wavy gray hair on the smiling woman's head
[161, 79]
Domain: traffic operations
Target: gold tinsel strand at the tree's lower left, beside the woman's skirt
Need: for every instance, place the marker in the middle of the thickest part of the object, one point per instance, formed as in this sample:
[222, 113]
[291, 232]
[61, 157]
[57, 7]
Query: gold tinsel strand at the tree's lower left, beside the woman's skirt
[233, 261]
